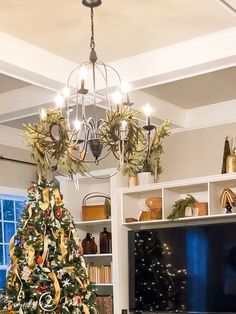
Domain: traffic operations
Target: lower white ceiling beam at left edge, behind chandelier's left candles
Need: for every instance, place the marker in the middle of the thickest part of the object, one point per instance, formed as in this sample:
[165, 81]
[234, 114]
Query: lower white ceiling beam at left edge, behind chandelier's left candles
[15, 103]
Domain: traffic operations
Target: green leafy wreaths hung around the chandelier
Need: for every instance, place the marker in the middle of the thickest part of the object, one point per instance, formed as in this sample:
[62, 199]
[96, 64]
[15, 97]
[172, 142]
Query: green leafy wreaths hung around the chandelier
[53, 145]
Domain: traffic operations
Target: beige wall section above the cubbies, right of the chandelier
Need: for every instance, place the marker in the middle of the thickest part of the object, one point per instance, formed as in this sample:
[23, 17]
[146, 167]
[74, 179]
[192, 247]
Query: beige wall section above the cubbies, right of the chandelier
[195, 153]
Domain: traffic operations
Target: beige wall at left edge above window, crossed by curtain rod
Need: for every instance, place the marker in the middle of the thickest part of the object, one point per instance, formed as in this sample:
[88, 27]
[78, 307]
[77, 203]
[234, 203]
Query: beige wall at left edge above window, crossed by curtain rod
[15, 174]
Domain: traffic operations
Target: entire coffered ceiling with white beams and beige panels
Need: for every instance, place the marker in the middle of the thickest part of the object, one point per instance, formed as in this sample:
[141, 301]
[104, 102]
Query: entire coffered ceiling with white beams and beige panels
[187, 39]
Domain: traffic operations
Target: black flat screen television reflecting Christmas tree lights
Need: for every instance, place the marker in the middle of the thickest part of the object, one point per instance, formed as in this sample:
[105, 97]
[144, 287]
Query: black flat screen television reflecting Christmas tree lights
[190, 269]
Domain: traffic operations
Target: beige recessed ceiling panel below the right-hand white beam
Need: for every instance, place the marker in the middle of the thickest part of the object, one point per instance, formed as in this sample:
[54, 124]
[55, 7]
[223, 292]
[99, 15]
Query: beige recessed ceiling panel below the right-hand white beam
[200, 90]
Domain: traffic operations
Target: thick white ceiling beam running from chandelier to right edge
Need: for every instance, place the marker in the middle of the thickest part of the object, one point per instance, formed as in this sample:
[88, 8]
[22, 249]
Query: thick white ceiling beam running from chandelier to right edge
[185, 59]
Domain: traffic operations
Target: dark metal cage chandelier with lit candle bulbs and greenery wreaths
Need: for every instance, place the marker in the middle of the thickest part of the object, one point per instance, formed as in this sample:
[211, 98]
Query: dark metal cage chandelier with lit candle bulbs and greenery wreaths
[65, 134]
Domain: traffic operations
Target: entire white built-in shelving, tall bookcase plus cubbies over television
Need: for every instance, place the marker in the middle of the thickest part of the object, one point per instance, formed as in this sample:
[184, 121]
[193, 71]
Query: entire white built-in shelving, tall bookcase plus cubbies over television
[125, 203]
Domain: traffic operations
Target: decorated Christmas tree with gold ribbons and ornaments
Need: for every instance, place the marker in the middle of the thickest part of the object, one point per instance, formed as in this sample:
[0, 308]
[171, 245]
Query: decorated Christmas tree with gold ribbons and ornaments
[47, 271]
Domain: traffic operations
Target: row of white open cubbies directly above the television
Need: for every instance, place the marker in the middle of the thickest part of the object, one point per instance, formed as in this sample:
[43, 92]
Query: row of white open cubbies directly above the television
[204, 189]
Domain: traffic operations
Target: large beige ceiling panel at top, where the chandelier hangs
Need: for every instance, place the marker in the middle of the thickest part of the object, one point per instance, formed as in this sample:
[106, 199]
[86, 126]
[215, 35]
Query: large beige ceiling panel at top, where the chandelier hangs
[123, 28]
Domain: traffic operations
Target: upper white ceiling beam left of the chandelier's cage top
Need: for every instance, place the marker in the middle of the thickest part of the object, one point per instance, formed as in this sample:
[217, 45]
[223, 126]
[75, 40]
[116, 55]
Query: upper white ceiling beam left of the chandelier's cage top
[32, 64]
